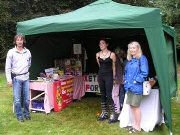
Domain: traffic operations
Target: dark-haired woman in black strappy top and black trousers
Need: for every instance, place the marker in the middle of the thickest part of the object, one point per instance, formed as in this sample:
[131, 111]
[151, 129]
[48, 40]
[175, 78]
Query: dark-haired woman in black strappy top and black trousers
[106, 61]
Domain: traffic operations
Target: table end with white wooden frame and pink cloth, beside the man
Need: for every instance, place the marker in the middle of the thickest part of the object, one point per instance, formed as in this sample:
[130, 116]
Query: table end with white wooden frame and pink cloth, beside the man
[42, 89]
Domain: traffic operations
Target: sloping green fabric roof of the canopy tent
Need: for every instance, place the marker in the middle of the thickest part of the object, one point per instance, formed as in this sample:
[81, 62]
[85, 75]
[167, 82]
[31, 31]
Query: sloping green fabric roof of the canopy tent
[103, 14]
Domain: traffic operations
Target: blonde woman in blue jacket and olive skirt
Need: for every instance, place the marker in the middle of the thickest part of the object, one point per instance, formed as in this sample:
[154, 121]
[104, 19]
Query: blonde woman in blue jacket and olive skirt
[136, 70]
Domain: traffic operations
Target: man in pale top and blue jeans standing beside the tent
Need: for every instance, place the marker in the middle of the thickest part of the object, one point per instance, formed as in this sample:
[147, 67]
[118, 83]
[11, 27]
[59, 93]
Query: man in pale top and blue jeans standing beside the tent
[18, 62]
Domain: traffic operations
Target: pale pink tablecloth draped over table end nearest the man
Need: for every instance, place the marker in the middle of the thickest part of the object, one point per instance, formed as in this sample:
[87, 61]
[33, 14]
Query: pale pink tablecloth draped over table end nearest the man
[47, 87]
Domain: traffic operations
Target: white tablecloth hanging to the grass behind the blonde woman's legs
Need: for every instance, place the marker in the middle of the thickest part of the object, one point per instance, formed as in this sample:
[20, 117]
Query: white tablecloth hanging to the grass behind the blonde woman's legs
[151, 112]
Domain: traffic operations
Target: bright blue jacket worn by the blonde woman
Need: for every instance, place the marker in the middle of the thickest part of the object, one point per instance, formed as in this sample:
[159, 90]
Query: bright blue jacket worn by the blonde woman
[136, 71]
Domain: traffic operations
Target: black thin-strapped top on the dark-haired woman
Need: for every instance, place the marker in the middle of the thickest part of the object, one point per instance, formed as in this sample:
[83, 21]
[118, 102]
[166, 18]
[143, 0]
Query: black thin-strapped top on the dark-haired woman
[105, 65]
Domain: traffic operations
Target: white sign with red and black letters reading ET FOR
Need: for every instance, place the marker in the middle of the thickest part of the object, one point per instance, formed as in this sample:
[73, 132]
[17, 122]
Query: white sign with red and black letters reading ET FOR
[91, 83]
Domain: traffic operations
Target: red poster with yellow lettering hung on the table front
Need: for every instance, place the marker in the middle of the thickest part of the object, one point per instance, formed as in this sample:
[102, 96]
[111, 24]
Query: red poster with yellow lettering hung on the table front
[63, 93]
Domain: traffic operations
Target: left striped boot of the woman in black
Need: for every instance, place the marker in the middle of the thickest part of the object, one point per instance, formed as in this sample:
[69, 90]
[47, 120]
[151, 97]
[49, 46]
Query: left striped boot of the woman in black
[104, 114]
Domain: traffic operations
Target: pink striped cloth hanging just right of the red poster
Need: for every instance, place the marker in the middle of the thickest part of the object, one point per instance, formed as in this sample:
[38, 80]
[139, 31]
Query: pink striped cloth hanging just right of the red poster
[79, 87]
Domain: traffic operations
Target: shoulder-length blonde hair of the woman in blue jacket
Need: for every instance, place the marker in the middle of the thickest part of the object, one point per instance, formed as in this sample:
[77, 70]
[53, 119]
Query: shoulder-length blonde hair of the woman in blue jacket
[129, 56]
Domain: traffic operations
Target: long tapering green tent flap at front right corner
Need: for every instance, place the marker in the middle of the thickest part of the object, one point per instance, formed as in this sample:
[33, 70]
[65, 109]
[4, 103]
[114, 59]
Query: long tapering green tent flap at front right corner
[158, 49]
